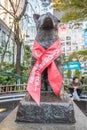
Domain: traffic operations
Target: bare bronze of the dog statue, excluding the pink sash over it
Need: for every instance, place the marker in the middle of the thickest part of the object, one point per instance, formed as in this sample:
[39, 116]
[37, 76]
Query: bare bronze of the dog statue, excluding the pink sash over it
[47, 34]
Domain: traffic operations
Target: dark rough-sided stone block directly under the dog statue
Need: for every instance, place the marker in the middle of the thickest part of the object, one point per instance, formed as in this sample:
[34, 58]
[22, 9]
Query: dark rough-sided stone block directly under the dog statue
[51, 110]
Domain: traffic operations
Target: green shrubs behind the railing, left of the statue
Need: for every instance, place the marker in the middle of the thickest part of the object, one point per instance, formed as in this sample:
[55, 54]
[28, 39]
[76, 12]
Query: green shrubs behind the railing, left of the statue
[8, 75]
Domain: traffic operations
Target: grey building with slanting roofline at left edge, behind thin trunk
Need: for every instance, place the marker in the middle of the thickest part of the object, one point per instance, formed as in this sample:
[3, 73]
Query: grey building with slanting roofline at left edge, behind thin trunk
[6, 43]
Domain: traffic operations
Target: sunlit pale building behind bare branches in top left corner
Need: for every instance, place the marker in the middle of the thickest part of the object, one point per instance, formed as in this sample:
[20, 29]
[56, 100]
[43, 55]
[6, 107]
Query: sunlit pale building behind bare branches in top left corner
[6, 16]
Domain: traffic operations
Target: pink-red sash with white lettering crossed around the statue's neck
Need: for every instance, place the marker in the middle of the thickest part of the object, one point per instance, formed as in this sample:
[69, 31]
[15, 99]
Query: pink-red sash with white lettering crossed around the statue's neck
[45, 59]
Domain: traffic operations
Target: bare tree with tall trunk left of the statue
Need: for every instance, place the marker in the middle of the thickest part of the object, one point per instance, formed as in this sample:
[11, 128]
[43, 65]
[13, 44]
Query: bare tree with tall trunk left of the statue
[16, 16]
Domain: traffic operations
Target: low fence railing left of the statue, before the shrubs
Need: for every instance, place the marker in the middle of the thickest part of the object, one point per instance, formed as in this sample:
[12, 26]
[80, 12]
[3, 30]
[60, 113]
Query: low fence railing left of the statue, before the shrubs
[17, 88]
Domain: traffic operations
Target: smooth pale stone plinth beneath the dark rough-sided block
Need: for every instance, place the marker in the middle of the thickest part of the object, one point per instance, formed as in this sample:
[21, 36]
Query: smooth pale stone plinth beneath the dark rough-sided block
[9, 123]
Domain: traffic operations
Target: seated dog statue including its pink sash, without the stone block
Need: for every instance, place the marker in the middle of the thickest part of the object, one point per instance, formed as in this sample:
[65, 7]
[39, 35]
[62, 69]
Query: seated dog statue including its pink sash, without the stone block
[46, 56]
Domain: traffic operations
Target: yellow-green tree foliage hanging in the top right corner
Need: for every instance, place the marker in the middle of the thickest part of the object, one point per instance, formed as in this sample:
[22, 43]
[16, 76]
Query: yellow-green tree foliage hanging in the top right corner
[74, 9]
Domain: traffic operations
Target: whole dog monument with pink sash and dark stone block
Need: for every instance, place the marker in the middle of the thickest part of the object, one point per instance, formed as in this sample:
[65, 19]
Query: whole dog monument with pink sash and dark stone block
[47, 69]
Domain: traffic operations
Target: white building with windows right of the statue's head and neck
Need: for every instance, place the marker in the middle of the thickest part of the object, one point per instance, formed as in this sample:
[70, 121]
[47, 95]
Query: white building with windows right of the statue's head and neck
[72, 39]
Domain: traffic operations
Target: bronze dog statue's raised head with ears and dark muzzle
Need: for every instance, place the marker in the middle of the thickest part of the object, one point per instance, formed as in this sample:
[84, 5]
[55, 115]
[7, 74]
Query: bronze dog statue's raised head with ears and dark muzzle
[46, 21]
